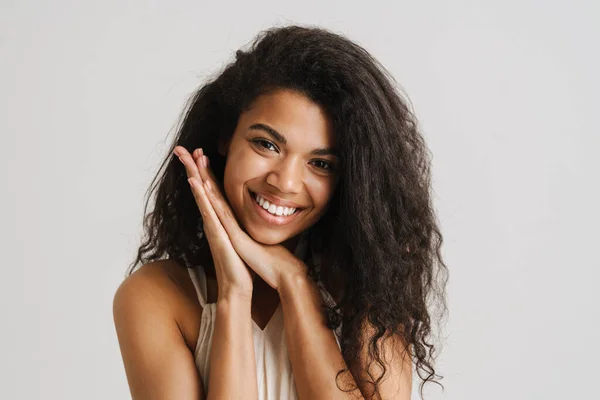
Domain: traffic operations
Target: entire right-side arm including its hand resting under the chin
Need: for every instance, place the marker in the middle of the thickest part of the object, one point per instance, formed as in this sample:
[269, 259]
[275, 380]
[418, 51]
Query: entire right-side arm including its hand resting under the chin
[315, 367]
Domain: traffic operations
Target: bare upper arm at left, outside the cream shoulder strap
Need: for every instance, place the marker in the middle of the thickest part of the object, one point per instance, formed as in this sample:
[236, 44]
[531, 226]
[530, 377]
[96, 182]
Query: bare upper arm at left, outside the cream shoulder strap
[158, 363]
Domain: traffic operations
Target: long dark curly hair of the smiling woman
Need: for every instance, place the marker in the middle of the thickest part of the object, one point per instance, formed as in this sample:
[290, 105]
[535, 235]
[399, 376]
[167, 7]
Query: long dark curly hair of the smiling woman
[379, 239]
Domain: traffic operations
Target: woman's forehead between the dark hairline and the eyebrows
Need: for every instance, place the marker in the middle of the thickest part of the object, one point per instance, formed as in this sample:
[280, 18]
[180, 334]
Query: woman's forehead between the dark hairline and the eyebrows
[302, 121]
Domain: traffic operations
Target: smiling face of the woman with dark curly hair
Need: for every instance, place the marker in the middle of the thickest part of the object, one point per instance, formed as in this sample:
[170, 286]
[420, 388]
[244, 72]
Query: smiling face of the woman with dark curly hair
[281, 166]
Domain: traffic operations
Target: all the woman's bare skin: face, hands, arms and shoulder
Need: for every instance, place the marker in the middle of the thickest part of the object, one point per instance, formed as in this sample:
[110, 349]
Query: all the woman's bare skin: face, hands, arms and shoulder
[156, 311]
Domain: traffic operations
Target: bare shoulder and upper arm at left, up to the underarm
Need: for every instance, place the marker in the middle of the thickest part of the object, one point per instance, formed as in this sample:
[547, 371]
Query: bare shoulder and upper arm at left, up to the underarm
[157, 321]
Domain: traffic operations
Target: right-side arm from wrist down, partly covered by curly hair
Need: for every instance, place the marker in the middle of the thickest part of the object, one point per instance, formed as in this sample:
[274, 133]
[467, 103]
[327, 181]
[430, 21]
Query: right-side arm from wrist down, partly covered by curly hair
[316, 357]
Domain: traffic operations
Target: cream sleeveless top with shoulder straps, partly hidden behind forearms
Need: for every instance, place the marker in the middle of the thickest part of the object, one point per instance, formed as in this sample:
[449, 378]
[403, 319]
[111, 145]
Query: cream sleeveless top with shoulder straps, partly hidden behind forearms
[273, 366]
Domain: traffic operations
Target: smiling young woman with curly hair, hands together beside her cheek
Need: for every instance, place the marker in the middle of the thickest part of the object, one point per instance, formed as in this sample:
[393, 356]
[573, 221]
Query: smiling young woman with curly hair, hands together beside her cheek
[293, 251]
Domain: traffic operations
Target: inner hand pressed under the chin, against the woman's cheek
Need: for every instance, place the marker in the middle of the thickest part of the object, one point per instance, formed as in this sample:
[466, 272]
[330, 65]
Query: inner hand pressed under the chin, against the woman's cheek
[272, 263]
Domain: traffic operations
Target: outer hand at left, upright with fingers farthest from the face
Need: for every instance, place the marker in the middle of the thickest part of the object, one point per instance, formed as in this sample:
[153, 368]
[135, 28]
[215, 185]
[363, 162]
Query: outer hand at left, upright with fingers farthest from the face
[233, 275]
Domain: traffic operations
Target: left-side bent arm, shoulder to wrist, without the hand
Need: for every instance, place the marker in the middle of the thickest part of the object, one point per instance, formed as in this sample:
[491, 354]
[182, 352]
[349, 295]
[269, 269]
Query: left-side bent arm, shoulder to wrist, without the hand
[158, 362]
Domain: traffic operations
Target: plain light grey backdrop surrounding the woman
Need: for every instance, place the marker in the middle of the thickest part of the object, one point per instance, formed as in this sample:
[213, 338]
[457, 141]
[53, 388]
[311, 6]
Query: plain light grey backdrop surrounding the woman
[506, 93]
